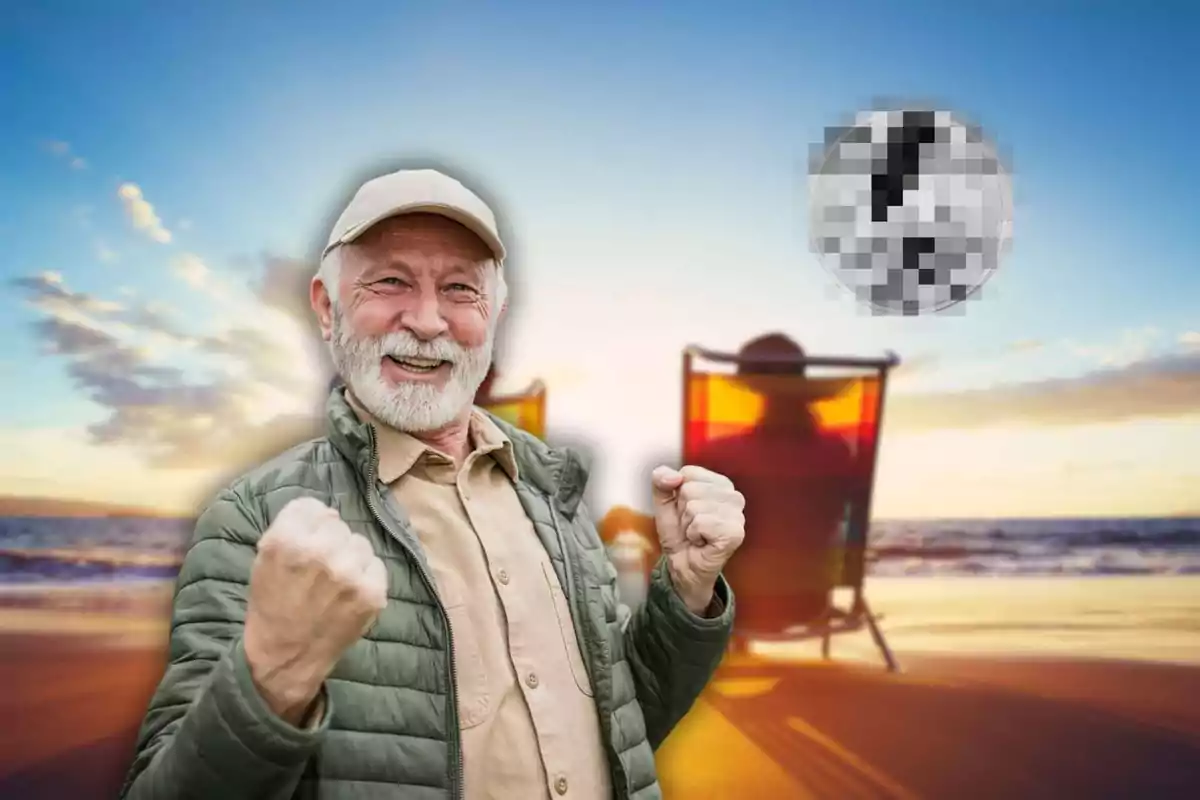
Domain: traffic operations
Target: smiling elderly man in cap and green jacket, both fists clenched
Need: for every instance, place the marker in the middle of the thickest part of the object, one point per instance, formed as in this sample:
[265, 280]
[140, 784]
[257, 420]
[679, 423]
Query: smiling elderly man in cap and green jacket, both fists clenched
[417, 605]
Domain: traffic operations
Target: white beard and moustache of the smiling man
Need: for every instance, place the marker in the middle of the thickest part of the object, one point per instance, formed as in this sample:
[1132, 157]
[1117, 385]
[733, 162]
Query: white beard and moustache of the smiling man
[411, 407]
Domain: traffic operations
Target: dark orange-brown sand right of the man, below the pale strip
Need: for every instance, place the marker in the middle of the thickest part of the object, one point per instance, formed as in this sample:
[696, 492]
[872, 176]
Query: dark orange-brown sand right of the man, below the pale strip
[946, 727]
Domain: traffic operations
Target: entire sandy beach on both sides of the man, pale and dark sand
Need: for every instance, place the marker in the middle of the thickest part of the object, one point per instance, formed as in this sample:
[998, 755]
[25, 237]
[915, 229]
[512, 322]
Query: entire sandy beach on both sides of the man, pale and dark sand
[1057, 718]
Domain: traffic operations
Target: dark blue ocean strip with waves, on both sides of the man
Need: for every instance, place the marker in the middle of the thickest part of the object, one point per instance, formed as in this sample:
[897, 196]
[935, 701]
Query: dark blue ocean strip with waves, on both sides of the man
[55, 551]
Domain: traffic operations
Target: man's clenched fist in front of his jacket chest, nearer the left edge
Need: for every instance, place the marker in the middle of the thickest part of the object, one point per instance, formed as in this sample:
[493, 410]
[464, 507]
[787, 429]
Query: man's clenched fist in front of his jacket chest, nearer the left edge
[315, 590]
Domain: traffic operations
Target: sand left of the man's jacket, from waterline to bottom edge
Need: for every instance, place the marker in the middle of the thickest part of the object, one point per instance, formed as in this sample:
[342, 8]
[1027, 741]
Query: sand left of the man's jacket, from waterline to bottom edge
[77, 666]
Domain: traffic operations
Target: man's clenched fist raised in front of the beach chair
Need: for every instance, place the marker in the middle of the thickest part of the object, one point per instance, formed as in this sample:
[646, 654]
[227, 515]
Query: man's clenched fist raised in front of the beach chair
[700, 522]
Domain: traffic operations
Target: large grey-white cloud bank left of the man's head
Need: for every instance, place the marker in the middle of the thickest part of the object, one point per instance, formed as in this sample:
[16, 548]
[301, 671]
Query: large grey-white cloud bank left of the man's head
[178, 393]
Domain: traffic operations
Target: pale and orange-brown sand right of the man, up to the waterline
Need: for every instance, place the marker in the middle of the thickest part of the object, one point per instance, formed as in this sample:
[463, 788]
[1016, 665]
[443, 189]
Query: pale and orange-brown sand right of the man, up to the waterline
[1010, 688]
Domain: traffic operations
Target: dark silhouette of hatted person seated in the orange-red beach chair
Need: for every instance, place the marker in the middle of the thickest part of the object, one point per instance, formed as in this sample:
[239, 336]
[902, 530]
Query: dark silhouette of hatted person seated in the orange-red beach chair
[799, 484]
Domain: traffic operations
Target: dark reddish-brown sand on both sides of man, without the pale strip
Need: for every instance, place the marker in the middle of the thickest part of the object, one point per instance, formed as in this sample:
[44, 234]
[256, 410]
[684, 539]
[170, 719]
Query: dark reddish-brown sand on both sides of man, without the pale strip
[949, 727]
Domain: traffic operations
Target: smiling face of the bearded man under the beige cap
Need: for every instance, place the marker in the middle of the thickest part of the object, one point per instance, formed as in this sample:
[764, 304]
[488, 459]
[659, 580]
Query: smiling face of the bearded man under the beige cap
[412, 334]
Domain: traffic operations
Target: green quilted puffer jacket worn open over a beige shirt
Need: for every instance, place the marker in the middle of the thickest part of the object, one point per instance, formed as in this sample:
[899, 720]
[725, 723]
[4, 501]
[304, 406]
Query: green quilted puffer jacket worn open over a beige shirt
[391, 727]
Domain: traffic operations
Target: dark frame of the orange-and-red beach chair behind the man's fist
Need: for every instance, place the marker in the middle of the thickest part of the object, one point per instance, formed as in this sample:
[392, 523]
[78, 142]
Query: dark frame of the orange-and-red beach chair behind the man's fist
[859, 616]
